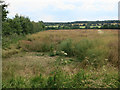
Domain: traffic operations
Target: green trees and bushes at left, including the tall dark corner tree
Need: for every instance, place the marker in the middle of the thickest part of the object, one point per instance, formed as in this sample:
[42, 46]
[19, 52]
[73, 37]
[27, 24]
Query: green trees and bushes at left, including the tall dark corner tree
[16, 28]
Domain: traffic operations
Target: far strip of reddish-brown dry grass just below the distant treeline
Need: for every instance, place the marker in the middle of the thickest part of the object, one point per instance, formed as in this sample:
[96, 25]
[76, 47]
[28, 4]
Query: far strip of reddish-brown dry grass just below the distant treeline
[57, 36]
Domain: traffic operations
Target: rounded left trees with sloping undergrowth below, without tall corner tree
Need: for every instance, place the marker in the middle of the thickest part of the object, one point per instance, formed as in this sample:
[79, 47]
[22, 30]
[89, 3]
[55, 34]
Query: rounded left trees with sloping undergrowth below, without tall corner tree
[16, 28]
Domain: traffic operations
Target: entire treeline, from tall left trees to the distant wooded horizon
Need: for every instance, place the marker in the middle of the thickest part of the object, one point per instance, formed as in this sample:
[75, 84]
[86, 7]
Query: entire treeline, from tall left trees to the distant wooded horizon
[23, 25]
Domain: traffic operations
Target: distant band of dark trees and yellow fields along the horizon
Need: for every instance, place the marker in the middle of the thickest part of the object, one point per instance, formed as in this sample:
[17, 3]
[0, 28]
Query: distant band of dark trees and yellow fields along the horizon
[111, 24]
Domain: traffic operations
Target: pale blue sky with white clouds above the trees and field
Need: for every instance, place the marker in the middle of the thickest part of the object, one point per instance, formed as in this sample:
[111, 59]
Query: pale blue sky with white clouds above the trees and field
[64, 10]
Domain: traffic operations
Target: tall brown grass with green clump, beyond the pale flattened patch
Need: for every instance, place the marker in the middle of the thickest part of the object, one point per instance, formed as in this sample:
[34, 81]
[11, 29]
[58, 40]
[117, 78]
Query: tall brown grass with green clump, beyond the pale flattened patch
[78, 44]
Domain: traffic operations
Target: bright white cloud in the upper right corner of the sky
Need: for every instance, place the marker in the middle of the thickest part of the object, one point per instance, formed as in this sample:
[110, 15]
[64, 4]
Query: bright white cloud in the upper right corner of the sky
[98, 5]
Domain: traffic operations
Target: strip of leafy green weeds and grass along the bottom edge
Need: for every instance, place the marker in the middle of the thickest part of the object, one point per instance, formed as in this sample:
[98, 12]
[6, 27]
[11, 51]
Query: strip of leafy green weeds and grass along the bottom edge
[59, 79]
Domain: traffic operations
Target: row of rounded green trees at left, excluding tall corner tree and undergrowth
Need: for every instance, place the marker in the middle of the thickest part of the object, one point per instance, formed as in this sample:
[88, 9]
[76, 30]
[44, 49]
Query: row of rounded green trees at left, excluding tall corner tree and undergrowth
[21, 25]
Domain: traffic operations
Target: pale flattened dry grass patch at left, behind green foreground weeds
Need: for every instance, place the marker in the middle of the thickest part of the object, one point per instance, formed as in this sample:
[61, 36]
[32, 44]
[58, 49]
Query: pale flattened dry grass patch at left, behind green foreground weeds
[27, 65]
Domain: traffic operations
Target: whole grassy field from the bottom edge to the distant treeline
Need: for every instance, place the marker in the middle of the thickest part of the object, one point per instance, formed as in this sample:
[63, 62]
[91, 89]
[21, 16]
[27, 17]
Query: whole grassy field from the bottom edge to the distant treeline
[63, 59]
